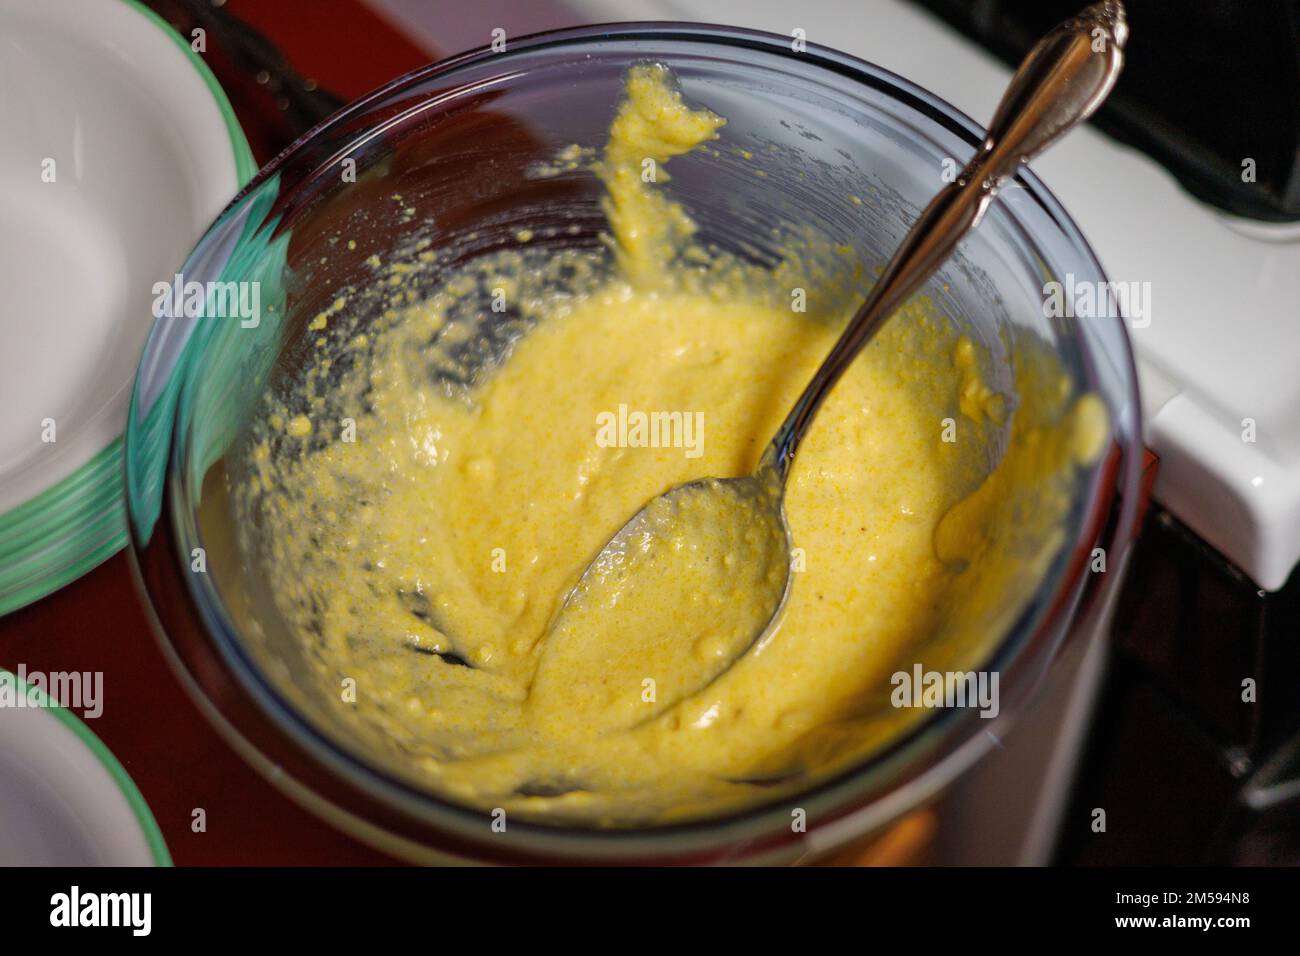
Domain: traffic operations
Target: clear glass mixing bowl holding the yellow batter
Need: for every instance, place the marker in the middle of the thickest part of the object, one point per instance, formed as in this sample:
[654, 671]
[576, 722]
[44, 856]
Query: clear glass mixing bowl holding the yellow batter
[460, 144]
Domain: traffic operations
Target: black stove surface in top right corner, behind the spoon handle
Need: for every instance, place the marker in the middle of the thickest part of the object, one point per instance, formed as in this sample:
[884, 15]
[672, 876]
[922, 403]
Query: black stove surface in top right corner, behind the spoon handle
[1207, 84]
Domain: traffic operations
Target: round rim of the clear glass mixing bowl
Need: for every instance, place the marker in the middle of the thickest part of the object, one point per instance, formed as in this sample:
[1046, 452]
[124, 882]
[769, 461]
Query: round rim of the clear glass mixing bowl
[1041, 622]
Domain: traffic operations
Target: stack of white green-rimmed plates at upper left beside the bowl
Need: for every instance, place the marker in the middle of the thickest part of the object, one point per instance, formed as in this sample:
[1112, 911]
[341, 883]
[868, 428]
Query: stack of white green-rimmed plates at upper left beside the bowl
[145, 154]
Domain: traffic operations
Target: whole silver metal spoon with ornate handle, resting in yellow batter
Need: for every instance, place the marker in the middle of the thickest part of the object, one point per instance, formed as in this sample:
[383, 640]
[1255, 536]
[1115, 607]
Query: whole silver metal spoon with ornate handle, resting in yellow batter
[612, 672]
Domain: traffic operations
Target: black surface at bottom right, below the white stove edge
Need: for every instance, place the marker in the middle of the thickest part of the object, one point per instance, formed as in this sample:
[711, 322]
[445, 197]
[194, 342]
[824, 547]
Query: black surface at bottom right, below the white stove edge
[1188, 771]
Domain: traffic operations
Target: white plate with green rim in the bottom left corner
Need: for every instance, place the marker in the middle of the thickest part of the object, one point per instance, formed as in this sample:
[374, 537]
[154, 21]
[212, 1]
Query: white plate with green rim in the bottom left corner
[64, 799]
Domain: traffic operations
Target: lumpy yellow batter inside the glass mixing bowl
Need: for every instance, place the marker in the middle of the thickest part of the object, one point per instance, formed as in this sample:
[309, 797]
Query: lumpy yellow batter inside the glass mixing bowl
[422, 563]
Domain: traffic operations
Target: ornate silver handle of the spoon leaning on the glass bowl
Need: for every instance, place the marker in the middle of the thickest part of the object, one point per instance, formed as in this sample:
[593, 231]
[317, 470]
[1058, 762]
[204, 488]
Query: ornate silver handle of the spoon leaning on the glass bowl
[1060, 84]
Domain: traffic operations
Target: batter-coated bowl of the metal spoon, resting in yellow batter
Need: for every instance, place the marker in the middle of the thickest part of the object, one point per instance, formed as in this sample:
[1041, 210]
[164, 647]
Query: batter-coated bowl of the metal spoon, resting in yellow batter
[688, 586]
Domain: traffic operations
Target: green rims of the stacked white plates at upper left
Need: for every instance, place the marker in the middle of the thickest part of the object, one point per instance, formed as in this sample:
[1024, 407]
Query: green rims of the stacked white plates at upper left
[73, 526]
